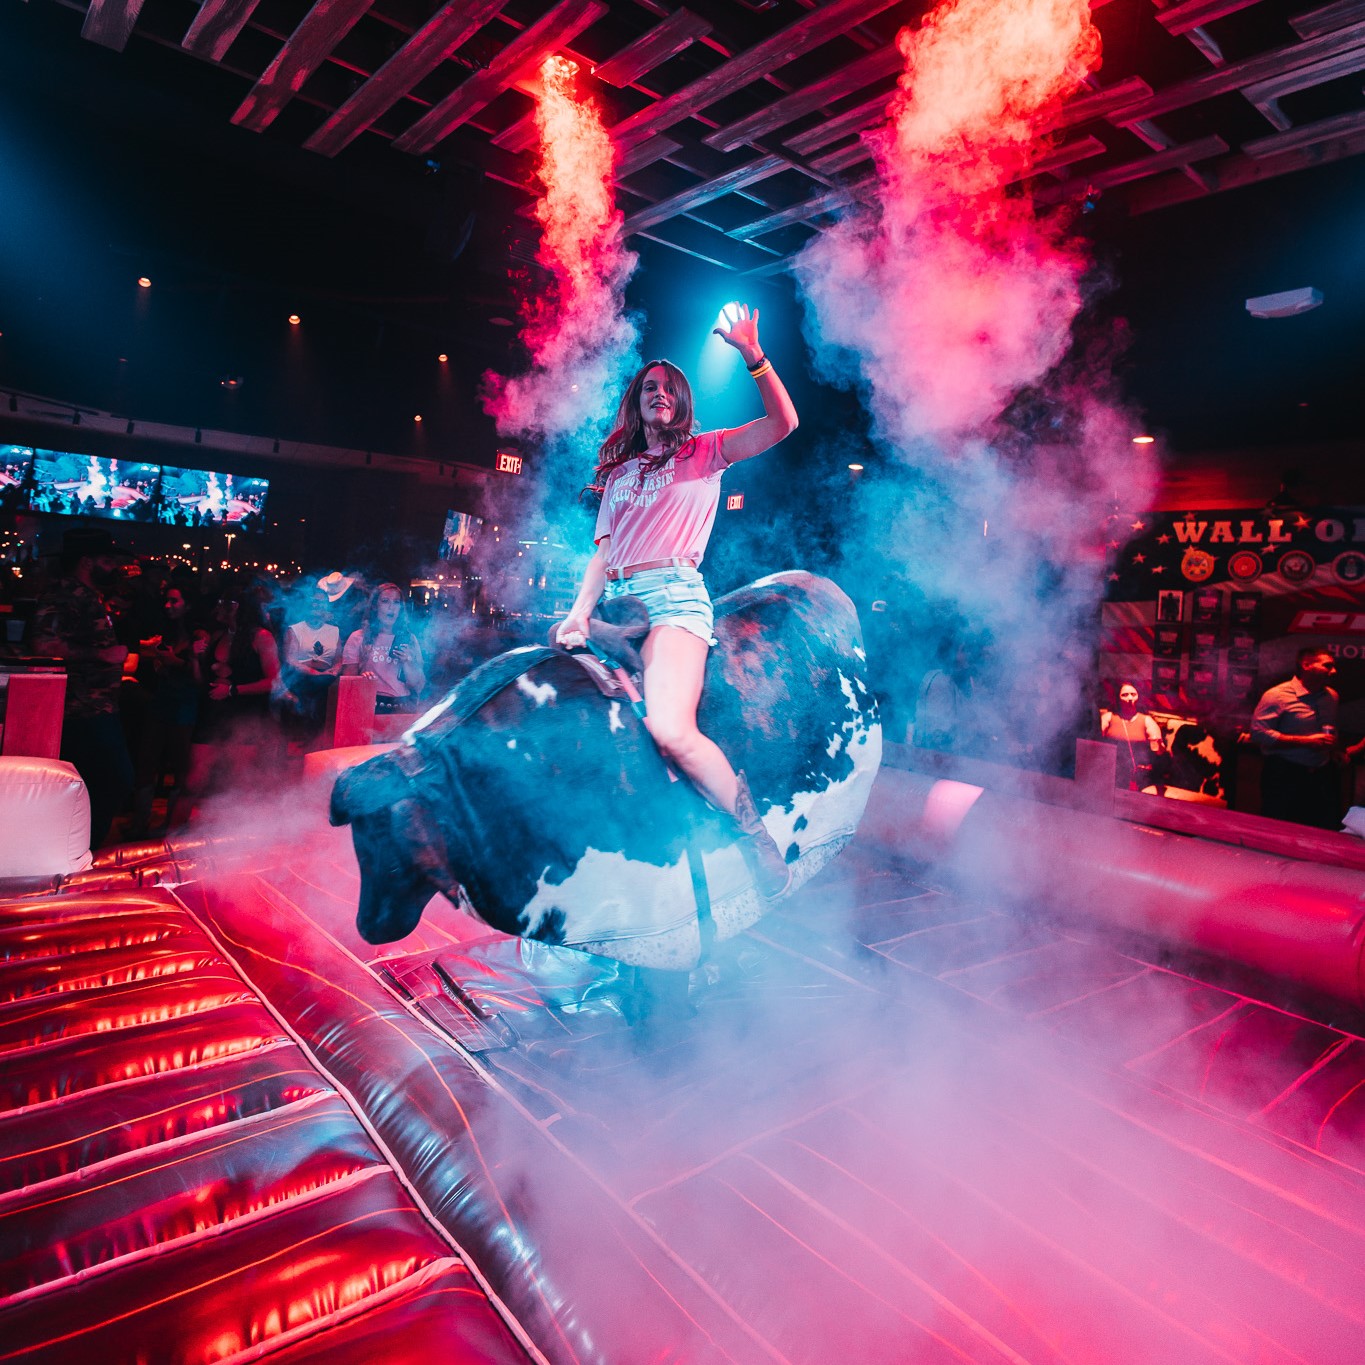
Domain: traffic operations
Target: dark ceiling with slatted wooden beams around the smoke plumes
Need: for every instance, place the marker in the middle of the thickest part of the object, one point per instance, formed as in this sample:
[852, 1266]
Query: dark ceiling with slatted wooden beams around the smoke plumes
[367, 166]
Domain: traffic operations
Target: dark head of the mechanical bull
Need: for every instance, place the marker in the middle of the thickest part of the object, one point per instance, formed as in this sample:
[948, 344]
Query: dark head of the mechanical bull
[398, 843]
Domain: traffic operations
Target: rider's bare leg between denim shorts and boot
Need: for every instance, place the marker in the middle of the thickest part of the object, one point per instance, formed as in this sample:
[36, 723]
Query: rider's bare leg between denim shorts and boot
[675, 665]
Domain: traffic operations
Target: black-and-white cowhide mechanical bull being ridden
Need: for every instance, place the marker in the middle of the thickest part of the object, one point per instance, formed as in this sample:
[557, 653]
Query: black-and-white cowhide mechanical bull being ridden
[536, 792]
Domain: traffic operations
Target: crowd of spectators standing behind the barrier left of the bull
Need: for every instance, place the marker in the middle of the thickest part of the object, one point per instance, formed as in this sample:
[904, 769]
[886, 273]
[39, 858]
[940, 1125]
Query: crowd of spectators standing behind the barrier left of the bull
[174, 694]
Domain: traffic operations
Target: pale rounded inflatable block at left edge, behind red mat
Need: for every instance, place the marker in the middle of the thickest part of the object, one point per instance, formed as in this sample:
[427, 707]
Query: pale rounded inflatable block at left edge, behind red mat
[44, 820]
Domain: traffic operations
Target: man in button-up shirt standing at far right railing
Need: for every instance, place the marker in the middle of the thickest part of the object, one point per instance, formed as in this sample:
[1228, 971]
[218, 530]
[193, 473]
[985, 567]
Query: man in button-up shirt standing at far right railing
[1295, 725]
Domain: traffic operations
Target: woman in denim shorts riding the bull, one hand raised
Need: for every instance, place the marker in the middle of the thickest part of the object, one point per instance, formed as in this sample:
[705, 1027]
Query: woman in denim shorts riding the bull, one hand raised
[661, 487]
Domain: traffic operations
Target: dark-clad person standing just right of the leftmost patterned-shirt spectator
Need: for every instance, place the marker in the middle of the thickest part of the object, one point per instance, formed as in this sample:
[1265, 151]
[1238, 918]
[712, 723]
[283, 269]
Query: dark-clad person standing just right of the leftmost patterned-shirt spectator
[171, 676]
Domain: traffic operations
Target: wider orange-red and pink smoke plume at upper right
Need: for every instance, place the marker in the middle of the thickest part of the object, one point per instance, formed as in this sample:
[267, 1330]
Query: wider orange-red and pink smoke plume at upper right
[951, 291]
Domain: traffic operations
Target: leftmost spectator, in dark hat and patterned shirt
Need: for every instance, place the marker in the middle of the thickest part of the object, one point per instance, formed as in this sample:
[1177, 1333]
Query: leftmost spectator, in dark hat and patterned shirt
[73, 623]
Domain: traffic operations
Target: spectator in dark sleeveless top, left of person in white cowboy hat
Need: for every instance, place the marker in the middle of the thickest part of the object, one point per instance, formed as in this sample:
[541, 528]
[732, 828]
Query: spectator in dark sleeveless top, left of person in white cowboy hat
[240, 664]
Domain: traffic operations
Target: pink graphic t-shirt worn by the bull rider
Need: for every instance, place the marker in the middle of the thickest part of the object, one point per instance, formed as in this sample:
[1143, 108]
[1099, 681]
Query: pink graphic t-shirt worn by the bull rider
[668, 514]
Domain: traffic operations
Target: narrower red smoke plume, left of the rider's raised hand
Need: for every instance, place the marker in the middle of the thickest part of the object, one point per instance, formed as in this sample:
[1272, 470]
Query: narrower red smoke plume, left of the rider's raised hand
[577, 330]
